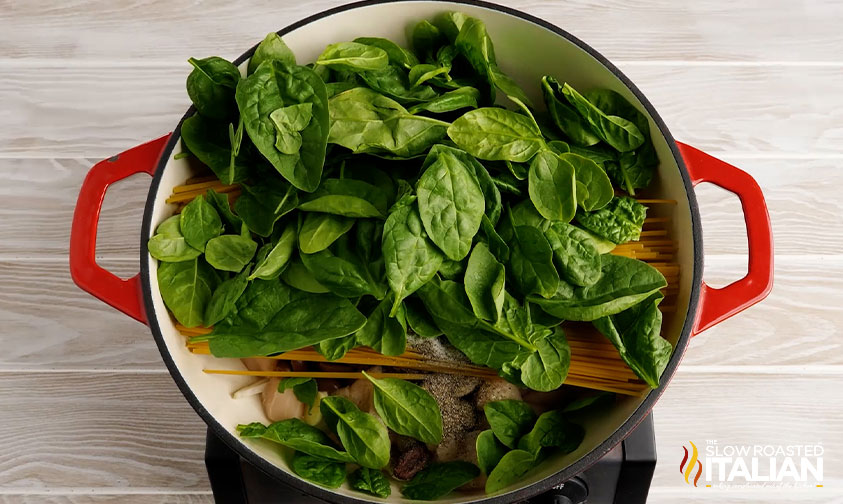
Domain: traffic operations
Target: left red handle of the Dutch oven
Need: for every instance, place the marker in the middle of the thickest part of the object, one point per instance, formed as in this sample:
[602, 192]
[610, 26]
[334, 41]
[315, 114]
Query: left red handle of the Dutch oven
[123, 294]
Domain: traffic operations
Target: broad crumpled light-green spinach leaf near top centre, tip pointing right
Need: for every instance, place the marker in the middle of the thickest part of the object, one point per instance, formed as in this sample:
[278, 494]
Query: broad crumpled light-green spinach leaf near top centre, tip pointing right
[365, 121]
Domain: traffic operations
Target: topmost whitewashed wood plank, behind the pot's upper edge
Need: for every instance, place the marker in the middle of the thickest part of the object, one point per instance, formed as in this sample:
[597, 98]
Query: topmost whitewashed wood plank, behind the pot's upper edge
[775, 30]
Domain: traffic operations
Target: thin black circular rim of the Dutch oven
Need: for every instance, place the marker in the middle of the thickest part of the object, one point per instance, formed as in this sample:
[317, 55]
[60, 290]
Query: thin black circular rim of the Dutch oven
[517, 495]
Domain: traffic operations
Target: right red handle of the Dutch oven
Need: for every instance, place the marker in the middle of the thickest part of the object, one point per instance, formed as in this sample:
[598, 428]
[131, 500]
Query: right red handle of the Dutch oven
[717, 305]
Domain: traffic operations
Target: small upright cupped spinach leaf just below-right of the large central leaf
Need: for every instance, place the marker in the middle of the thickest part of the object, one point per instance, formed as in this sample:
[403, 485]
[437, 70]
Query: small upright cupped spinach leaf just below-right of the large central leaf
[485, 283]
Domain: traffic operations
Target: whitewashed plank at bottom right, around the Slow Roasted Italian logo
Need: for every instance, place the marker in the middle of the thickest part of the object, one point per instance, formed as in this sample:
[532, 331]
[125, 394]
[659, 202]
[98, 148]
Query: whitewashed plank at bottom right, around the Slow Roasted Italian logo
[748, 409]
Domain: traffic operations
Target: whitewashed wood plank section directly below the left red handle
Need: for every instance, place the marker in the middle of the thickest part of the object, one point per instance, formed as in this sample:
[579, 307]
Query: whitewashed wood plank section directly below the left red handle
[49, 323]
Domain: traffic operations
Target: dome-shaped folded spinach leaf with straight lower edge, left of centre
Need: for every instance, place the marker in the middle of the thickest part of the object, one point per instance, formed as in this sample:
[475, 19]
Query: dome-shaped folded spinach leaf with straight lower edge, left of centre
[348, 197]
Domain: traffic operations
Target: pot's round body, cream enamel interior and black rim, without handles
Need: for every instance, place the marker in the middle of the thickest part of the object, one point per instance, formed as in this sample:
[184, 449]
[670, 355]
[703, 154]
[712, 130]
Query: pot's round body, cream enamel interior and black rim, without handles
[526, 50]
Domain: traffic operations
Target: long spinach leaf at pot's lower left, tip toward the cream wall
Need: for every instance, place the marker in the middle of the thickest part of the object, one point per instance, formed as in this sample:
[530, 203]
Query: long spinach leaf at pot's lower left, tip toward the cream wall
[294, 433]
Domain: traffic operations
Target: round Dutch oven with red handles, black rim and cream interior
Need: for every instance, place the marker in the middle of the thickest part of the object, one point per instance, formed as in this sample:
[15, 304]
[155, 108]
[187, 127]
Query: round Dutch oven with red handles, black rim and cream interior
[526, 48]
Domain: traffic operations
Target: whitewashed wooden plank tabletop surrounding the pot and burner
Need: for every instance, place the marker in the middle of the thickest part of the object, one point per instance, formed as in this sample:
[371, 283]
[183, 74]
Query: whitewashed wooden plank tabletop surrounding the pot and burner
[758, 83]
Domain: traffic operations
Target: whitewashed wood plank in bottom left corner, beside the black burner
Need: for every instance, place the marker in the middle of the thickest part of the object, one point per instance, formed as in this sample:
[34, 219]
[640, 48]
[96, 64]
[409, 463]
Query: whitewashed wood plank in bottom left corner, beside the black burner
[80, 430]
